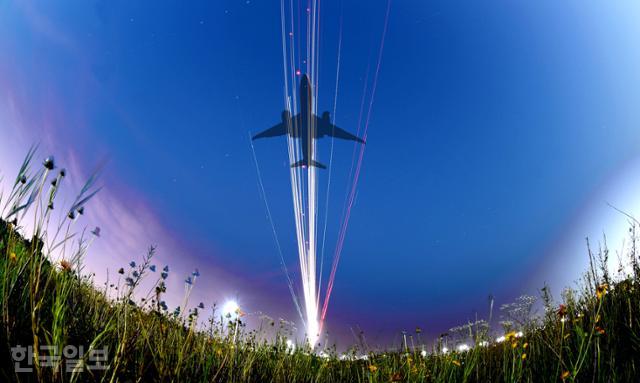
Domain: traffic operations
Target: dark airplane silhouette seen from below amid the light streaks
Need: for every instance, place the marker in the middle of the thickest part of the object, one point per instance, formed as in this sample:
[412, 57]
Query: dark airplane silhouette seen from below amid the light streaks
[302, 125]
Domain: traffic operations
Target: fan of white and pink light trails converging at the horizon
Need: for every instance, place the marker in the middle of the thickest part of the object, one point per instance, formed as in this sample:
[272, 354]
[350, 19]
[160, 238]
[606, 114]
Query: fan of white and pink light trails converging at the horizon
[304, 187]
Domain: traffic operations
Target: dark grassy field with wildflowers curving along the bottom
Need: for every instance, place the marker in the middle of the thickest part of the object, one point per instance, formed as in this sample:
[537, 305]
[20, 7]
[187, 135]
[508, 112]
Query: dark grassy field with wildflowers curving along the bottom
[45, 299]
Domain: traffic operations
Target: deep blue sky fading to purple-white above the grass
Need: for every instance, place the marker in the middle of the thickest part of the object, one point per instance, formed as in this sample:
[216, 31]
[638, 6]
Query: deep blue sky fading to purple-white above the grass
[499, 132]
